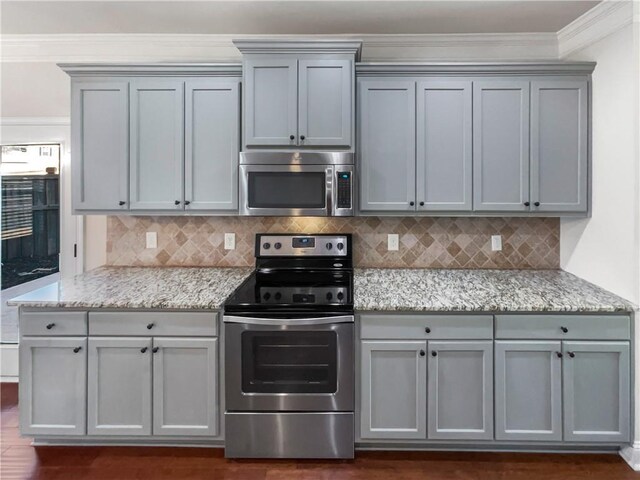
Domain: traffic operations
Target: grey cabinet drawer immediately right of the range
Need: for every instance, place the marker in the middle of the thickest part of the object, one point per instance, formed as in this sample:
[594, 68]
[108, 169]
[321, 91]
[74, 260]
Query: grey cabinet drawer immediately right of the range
[433, 327]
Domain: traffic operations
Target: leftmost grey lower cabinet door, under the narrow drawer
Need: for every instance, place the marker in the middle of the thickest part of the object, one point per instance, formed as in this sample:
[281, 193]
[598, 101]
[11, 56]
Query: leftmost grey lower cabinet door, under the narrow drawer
[53, 380]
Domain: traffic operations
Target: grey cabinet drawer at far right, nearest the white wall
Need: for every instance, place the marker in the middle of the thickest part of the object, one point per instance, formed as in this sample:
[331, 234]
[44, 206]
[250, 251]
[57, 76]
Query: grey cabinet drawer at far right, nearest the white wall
[568, 327]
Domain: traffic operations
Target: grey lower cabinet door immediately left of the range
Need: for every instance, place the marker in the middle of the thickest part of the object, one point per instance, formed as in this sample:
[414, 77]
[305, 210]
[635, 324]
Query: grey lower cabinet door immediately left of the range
[185, 386]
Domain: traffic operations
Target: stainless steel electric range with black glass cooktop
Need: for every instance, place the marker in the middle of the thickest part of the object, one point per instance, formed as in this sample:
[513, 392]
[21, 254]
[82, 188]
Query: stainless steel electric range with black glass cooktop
[289, 351]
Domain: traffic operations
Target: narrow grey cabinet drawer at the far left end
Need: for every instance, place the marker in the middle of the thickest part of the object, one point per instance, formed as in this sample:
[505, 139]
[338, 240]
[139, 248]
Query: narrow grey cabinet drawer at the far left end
[44, 323]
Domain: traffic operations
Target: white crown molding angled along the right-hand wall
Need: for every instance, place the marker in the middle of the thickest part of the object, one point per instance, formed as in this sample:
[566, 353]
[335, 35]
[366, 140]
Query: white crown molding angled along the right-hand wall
[602, 20]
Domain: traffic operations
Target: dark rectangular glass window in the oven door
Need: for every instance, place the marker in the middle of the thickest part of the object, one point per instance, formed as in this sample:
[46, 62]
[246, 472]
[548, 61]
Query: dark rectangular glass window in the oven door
[289, 362]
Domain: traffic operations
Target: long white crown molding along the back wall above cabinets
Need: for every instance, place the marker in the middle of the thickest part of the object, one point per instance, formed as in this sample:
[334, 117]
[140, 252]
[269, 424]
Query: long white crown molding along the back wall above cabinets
[145, 48]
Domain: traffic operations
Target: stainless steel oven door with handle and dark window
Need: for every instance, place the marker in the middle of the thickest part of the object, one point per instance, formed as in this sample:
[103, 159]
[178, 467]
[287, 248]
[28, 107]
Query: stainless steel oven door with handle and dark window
[287, 365]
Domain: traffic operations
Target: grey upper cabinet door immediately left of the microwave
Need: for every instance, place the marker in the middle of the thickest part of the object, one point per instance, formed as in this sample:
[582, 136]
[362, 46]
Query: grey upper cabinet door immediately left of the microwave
[212, 142]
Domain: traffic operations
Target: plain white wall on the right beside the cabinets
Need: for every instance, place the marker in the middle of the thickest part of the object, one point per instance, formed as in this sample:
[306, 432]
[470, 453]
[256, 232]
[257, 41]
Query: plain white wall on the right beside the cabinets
[605, 249]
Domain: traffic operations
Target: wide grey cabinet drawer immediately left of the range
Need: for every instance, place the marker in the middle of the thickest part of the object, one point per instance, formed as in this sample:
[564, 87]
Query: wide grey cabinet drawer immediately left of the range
[176, 324]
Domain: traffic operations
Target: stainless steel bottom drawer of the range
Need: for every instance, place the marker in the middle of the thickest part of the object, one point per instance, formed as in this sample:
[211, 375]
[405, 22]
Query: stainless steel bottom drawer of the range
[289, 435]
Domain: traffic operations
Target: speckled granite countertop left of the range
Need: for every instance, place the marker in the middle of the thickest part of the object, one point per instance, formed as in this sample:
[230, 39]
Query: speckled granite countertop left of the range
[140, 287]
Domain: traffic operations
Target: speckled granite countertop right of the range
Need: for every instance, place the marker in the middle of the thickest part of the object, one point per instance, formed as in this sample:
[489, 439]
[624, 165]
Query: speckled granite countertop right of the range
[480, 291]
